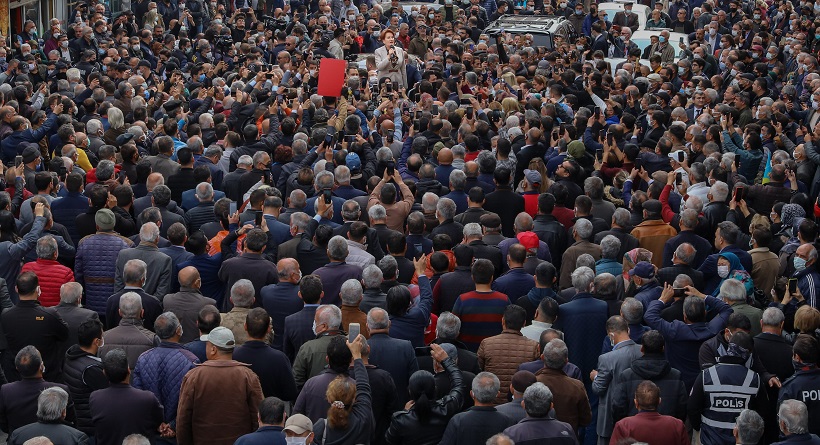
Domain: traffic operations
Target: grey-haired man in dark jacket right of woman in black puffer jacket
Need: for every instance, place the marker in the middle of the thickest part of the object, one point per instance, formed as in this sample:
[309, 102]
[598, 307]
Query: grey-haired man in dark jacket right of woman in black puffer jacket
[482, 421]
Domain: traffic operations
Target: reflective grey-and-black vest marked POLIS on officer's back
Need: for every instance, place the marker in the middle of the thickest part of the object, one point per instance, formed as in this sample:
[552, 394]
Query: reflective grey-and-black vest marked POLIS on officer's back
[728, 390]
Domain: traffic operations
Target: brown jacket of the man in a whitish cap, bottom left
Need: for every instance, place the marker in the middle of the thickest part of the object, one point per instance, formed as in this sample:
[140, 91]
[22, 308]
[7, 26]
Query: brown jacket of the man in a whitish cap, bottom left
[213, 412]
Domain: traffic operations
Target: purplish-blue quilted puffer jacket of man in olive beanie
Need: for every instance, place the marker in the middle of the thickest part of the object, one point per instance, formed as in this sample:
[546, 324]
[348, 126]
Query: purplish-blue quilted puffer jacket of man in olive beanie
[95, 266]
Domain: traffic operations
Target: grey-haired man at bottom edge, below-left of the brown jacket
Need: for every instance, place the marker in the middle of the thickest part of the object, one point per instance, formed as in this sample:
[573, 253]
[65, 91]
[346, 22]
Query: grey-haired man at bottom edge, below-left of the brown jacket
[539, 426]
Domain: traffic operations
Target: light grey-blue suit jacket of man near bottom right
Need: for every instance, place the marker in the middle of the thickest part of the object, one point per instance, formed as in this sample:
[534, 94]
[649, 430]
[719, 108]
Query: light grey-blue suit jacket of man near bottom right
[610, 365]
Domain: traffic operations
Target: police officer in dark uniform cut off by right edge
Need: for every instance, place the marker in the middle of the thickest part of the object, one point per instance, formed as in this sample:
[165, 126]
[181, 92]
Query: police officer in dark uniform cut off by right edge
[804, 385]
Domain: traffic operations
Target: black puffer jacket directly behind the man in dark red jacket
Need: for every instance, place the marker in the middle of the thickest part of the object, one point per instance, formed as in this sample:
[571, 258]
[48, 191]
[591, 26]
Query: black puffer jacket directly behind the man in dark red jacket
[656, 368]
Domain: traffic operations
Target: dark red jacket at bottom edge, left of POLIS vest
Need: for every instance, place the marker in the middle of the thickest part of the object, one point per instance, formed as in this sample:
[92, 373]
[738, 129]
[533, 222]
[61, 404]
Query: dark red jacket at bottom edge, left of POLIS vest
[652, 428]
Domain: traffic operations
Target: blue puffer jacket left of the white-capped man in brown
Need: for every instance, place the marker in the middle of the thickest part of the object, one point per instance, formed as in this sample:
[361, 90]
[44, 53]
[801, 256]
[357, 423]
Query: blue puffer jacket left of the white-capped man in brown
[160, 370]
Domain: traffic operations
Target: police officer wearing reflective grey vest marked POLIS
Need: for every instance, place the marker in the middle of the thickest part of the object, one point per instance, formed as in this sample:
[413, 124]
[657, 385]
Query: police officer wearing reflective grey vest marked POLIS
[722, 391]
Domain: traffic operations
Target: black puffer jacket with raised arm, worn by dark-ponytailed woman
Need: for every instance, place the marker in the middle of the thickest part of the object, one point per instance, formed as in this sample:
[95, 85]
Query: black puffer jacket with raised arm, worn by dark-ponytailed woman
[406, 428]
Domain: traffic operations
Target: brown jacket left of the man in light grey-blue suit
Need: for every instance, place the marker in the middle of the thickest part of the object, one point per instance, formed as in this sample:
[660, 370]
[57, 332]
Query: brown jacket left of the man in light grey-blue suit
[569, 397]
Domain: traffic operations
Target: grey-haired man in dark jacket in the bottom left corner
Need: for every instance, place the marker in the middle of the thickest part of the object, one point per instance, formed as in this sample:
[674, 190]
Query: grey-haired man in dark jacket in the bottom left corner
[52, 405]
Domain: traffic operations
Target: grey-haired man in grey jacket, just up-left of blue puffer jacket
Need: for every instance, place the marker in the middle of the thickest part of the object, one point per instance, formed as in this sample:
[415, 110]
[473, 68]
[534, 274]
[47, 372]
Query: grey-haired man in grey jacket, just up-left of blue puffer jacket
[129, 335]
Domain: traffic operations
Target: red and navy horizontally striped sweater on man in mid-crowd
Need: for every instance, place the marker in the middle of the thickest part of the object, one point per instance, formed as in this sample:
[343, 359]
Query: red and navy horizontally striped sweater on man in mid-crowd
[480, 314]
